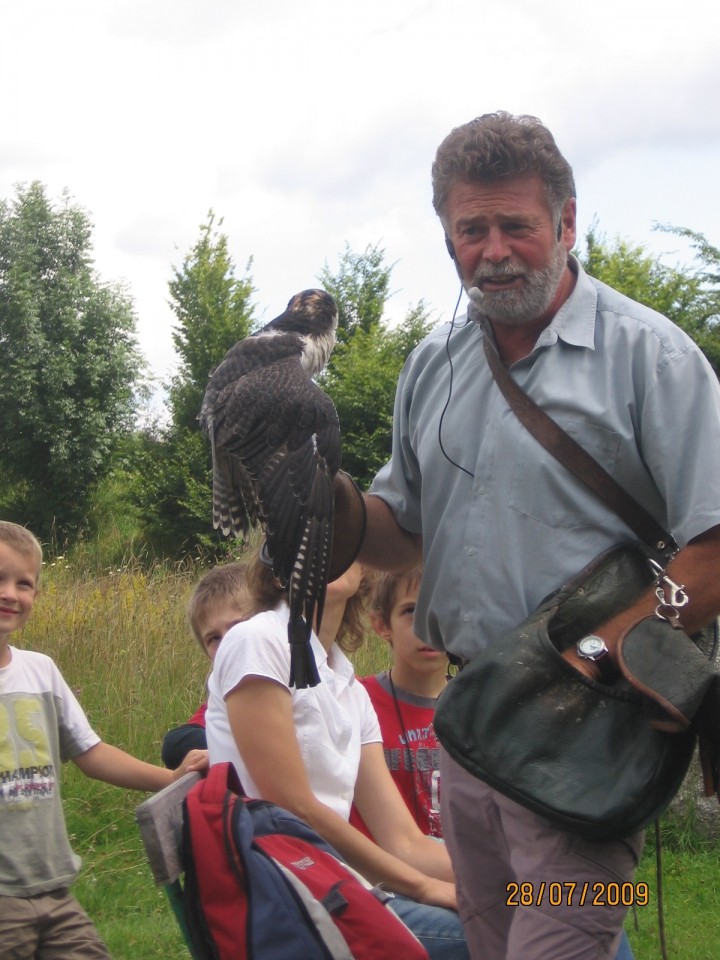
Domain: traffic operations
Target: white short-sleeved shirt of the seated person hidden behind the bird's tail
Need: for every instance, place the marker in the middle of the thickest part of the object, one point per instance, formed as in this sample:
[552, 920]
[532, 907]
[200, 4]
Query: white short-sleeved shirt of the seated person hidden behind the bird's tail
[332, 720]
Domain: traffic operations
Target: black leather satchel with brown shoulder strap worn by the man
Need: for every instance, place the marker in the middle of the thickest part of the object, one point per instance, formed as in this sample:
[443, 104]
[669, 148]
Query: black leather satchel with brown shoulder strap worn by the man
[595, 758]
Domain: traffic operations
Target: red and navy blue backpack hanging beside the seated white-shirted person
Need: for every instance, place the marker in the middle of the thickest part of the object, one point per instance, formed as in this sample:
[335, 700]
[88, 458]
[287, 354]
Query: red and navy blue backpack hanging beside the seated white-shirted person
[260, 884]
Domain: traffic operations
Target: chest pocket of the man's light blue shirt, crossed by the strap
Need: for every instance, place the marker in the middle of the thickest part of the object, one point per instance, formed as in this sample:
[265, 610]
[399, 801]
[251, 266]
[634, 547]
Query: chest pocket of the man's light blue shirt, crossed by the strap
[545, 490]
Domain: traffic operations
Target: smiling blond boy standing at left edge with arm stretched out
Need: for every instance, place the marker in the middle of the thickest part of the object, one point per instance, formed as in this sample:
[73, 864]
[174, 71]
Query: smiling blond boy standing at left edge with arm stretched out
[42, 725]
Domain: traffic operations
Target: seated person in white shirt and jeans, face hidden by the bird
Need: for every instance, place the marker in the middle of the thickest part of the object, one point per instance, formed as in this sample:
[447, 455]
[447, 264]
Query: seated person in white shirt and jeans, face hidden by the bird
[313, 751]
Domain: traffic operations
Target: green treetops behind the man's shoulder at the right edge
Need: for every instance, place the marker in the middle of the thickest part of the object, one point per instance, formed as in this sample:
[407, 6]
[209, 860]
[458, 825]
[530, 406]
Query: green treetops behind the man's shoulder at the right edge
[684, 295]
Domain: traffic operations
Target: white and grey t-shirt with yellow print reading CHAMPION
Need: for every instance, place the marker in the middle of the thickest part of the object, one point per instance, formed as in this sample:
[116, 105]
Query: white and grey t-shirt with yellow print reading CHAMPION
[41, 725]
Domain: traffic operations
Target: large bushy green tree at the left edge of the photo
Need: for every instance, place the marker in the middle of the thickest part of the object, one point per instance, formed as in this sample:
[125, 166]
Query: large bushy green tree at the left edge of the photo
[69, 363]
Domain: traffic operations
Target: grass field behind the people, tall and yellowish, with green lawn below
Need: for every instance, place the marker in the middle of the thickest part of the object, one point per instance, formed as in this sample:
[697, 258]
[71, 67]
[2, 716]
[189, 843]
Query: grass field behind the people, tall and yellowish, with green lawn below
[122, 643]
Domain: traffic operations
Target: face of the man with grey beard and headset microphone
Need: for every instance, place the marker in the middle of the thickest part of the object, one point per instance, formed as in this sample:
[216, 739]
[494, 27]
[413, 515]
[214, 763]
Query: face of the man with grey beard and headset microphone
[507, 245]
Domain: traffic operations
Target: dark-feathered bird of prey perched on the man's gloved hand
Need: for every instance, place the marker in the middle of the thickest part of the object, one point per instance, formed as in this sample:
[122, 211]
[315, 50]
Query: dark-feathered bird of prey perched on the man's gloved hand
[275, 442]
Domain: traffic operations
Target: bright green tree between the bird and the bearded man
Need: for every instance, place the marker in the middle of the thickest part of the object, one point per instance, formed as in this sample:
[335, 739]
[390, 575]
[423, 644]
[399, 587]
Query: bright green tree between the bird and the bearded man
[364, 367]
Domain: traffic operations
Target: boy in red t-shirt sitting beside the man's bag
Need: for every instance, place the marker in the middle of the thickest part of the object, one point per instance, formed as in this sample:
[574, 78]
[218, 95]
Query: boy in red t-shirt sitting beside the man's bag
[404, 699]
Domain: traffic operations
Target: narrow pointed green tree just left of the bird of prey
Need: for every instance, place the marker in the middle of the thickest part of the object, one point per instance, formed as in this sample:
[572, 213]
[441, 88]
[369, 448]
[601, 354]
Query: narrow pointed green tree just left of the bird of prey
[213, 311]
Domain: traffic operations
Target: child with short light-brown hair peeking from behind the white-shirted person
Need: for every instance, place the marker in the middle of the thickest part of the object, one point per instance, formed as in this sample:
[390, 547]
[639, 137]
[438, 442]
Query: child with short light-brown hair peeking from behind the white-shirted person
[219, 601]
